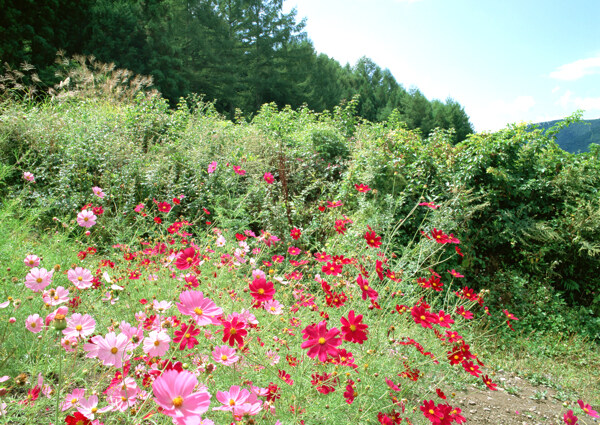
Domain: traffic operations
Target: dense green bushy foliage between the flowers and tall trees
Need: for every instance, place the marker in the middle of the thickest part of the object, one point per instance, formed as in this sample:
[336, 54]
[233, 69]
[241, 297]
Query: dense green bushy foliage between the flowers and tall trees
[527, 212]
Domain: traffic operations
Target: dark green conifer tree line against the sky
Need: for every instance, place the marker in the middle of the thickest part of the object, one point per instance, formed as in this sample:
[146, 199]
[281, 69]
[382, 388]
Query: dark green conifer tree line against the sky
[241, 53]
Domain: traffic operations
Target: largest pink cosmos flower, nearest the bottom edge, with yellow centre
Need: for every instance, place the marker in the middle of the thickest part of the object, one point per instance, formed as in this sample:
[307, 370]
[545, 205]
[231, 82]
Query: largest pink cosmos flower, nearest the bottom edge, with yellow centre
[173, 391]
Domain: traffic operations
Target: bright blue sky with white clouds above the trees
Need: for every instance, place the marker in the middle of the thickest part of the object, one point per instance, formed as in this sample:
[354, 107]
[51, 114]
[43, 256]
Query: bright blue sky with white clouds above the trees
[505, 61]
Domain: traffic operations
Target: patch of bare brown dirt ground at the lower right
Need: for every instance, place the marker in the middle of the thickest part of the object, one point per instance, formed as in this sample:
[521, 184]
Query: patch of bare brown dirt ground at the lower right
[517, 402]
